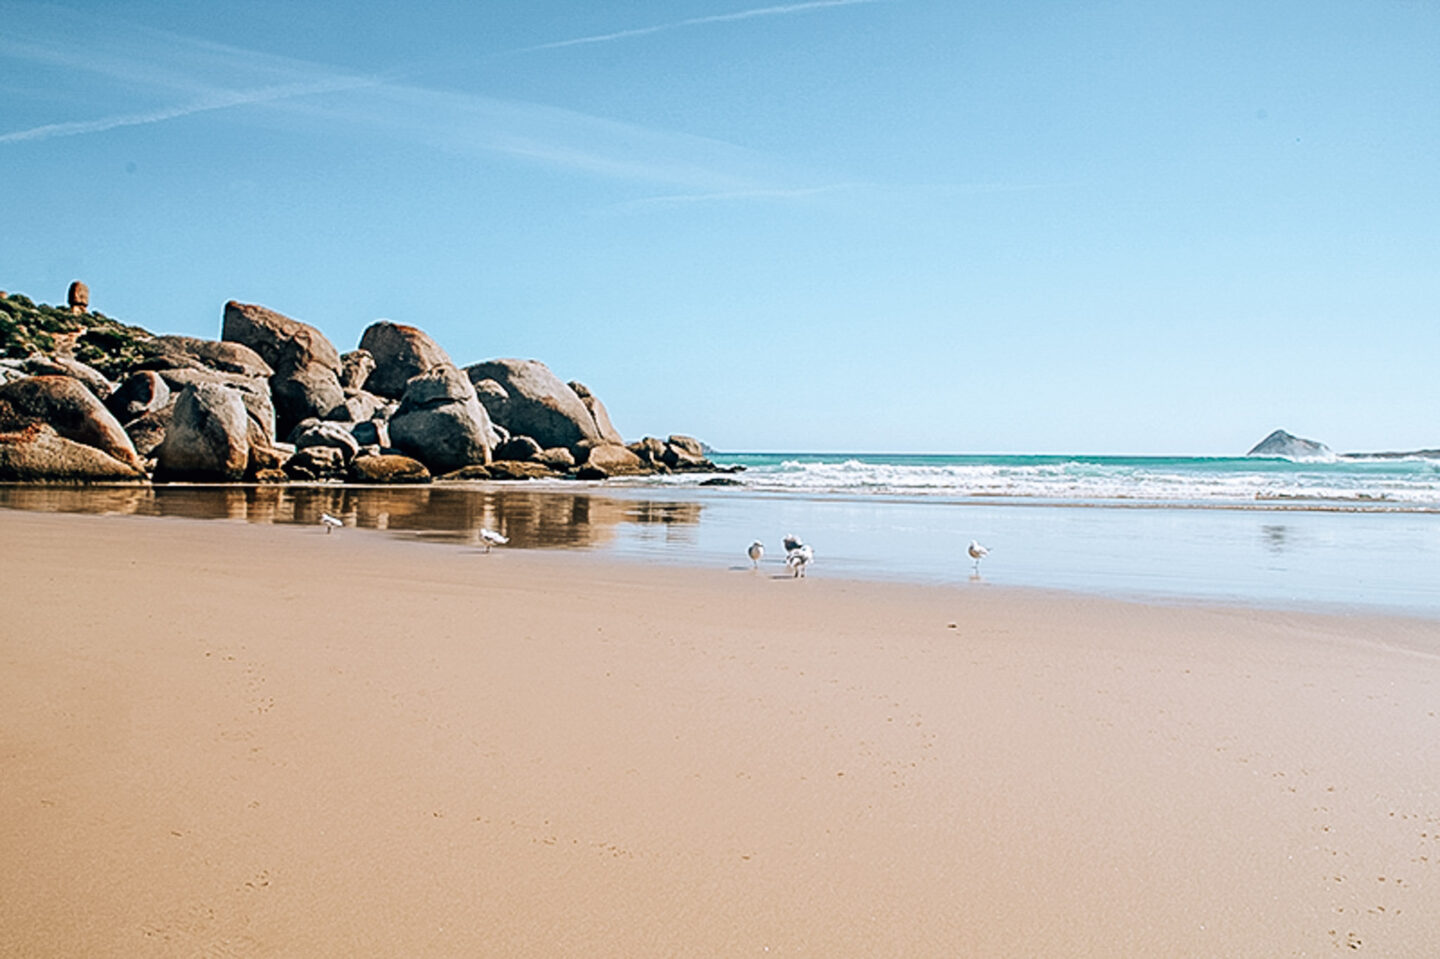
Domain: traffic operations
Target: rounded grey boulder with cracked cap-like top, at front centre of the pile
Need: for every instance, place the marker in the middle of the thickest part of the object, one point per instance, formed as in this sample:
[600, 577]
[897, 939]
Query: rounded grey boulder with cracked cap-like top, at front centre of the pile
[441, 424]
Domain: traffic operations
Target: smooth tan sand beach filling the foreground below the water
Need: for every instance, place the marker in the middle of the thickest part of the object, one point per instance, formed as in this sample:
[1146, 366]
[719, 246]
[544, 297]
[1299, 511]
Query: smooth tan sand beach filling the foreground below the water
[244, 741]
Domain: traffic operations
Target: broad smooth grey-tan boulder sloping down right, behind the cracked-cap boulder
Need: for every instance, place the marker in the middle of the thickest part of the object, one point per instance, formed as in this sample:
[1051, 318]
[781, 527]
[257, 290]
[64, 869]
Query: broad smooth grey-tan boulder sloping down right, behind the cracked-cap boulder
[538, 404]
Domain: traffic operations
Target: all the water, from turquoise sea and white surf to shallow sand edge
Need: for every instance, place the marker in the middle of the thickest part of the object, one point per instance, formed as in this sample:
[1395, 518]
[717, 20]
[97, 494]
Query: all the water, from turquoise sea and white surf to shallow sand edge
[1334, 535]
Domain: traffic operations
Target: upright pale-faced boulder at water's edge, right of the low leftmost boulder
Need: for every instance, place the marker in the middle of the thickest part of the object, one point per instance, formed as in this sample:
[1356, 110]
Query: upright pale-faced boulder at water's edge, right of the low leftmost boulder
[210, 437]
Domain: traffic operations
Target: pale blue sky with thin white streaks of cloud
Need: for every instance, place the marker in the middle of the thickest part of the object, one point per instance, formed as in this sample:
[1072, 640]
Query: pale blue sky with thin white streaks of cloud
[829, 225]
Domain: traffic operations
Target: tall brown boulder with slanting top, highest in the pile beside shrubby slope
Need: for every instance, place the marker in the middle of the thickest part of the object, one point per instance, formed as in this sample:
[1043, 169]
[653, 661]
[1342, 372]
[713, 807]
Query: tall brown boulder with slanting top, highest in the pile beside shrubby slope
[307, 366]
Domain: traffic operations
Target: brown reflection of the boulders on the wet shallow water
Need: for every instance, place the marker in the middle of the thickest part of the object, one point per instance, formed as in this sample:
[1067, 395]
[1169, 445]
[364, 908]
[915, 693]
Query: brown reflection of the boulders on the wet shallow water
[532, 519]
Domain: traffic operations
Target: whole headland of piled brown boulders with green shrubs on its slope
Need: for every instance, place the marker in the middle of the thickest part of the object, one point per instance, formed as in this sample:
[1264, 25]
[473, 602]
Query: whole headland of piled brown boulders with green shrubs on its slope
[86, 398]
